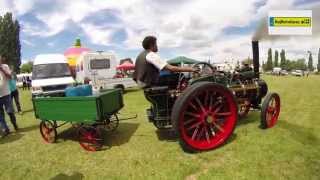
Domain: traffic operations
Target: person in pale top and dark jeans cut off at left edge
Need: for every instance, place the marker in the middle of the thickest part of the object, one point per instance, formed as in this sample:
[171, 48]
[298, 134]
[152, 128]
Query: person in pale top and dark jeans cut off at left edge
[5, 99]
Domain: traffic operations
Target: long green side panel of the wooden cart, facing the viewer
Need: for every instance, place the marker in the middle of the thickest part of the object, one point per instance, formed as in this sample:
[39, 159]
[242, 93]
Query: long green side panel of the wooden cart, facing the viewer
[82, 109]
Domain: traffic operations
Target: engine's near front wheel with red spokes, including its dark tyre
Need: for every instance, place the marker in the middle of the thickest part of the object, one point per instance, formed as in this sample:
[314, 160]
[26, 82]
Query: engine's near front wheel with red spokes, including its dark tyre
[270, 110]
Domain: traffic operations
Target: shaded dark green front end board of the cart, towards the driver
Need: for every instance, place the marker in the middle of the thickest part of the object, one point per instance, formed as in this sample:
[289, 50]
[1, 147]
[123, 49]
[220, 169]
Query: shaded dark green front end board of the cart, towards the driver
[110, 102]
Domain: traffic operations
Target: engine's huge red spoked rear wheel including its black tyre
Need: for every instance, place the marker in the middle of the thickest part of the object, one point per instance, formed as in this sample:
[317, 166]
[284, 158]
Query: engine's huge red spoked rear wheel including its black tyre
[204, 116]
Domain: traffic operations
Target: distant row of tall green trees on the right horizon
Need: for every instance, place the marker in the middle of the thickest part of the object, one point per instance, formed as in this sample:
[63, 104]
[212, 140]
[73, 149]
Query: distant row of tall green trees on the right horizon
[289, 64]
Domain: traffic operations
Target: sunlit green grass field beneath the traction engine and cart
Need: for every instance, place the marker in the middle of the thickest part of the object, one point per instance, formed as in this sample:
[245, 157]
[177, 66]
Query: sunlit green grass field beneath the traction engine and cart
[290, 150]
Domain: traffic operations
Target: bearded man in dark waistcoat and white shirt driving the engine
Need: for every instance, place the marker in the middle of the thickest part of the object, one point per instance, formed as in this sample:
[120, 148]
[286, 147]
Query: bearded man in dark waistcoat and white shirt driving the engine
[149, 64]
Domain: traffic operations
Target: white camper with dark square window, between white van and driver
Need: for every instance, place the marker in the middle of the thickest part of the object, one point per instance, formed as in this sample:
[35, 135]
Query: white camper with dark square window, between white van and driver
[100, 68]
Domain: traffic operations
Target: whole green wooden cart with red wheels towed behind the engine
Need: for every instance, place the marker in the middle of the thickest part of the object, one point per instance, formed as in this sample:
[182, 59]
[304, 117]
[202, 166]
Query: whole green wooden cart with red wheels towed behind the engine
[86, 113]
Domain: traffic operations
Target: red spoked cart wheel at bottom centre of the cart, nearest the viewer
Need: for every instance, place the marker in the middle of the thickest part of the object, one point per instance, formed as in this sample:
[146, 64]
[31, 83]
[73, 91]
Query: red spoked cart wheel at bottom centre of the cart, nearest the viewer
[90, 138]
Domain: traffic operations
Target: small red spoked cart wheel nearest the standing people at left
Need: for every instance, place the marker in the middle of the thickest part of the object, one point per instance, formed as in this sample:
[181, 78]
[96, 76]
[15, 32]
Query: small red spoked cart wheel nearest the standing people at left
[48, 131]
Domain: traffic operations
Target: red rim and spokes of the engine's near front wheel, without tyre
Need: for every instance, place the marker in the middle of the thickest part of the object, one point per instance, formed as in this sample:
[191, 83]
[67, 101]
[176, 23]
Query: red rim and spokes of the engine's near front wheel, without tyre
[272, 112]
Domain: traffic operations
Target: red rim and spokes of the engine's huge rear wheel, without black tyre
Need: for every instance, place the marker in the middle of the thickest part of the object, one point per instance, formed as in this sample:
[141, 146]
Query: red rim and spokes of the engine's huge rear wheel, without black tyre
[208, 118]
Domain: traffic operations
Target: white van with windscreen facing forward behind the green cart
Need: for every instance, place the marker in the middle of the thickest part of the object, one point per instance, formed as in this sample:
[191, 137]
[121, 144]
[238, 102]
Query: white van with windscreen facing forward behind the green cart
[50, 75]
